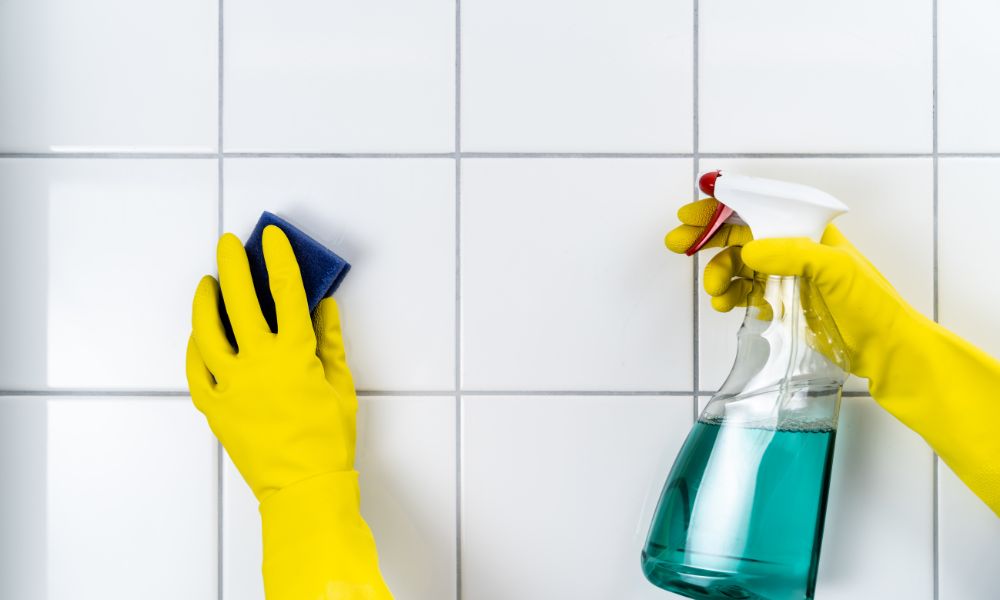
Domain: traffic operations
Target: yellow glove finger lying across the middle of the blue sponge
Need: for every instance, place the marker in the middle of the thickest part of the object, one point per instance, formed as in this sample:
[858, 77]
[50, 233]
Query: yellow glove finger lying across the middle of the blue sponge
[285, 279]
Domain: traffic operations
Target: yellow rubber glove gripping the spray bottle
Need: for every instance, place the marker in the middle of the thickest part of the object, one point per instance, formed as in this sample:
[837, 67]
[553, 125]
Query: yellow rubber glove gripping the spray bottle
[936, 383]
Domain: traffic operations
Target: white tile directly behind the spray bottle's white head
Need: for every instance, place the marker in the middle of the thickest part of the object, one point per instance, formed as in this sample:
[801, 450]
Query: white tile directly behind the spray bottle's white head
[891, 222]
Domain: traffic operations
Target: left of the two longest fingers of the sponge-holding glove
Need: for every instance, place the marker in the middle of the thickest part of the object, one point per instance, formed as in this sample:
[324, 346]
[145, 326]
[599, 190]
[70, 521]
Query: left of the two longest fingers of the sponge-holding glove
[238, 292]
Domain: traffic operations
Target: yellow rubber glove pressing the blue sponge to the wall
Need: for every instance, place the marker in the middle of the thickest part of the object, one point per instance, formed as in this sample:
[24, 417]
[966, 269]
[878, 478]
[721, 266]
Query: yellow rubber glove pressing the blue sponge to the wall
[284, 408]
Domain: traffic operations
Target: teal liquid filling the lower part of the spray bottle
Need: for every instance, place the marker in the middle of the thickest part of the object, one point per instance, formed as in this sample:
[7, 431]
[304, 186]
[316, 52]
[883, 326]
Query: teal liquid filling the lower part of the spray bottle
[741, 515]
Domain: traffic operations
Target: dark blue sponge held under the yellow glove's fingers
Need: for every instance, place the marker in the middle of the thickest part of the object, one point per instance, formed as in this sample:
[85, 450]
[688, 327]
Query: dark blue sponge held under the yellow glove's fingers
[322, 270]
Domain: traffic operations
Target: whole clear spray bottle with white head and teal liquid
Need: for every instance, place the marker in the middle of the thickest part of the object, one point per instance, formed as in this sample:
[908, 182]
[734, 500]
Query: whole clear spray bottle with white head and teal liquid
[741, 513]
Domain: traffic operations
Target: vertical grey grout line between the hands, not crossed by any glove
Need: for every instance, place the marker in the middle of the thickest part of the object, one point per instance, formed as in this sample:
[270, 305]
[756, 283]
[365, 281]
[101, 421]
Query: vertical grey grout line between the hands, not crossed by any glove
[458, 300]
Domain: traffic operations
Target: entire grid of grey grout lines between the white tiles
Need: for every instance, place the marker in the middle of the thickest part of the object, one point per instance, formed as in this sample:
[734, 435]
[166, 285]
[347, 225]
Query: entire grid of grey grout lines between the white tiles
[220, 155]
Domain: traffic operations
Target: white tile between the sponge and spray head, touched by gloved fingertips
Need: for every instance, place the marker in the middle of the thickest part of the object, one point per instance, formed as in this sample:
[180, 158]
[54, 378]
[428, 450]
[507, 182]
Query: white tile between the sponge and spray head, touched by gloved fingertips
[566, 284]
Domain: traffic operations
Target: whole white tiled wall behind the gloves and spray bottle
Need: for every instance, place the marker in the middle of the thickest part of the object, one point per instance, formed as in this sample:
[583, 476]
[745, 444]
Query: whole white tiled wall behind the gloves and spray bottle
[500, 174]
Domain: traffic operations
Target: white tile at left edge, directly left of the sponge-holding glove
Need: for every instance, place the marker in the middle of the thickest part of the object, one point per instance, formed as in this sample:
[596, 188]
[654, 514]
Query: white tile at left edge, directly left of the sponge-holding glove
[103, 285]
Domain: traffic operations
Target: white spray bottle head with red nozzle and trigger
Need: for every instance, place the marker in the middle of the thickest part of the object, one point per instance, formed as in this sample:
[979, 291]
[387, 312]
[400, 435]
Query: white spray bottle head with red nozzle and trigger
[772, 208]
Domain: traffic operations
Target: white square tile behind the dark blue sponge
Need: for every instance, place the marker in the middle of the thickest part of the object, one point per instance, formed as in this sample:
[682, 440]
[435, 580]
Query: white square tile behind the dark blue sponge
[394, 221]
